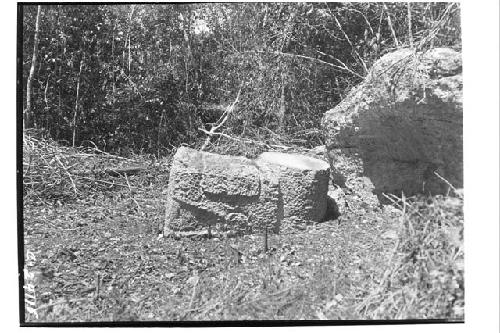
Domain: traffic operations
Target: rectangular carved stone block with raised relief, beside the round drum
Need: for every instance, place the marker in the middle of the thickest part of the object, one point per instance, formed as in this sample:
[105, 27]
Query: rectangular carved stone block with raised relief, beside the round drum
[208, 189]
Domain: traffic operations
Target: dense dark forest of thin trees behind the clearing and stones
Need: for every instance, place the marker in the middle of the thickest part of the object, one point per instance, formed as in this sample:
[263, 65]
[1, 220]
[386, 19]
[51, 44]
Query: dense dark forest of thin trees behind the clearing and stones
[134, 78]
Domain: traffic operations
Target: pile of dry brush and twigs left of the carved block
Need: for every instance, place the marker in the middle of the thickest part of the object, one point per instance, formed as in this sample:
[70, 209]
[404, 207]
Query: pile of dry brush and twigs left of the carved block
[55, 172]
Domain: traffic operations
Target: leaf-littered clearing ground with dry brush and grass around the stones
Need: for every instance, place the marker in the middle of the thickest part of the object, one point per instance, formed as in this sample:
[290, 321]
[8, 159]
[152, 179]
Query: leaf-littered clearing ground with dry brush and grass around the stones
[97, 253]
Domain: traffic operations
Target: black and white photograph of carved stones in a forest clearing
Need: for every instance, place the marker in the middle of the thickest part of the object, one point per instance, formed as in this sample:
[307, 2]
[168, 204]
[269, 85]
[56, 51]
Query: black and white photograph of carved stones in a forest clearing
[249, 163]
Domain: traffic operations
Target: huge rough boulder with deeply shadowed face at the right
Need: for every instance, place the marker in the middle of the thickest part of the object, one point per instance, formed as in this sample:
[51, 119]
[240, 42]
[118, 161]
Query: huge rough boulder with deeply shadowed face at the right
[400, 125]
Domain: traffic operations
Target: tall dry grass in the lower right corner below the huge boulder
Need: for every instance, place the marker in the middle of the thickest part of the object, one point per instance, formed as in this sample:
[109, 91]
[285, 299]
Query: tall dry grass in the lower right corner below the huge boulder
[425, 275]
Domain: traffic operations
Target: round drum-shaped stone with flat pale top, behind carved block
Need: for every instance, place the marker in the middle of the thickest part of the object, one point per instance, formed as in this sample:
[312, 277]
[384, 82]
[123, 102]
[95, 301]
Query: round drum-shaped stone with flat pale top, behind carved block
[303, 184]
